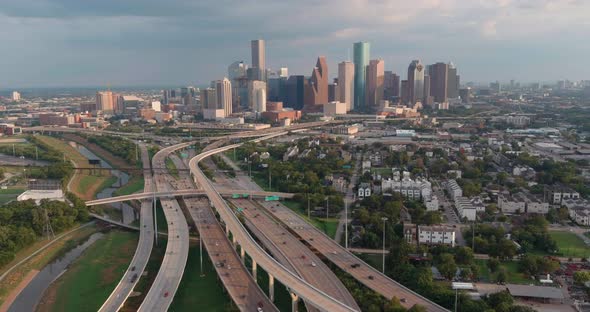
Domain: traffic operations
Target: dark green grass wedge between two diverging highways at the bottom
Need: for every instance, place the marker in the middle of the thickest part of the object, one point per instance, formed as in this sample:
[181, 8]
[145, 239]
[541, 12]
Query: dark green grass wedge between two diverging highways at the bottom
[200, 293]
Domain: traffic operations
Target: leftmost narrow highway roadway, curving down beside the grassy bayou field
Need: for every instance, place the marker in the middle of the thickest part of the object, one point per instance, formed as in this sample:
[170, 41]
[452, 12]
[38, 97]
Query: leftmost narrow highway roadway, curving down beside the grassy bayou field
[144, 247]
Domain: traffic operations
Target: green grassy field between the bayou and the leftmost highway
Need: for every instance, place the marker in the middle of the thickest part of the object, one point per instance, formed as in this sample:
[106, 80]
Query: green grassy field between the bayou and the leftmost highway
[92, 277]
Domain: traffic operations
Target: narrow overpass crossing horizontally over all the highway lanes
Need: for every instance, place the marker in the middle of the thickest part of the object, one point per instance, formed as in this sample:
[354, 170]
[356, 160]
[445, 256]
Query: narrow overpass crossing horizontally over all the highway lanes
[184, 193]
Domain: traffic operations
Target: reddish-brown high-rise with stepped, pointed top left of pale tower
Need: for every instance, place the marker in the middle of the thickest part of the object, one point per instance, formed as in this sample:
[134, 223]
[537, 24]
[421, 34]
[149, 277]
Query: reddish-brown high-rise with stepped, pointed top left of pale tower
[316, 93]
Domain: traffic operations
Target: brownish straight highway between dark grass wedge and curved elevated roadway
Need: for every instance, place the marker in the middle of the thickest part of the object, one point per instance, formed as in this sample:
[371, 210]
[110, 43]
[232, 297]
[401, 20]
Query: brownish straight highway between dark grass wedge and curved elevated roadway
[235, 277]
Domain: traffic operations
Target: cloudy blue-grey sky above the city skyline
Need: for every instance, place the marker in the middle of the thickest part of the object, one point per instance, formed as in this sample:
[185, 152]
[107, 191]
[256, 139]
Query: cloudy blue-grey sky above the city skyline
[60, 43]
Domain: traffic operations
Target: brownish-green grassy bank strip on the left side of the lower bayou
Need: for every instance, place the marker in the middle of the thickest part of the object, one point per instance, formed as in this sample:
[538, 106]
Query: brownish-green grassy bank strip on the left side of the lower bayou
[40, 260]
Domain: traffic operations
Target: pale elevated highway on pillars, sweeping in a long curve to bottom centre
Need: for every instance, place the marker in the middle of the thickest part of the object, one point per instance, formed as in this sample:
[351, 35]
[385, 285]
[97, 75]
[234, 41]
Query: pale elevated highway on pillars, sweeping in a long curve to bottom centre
[299, 287]
